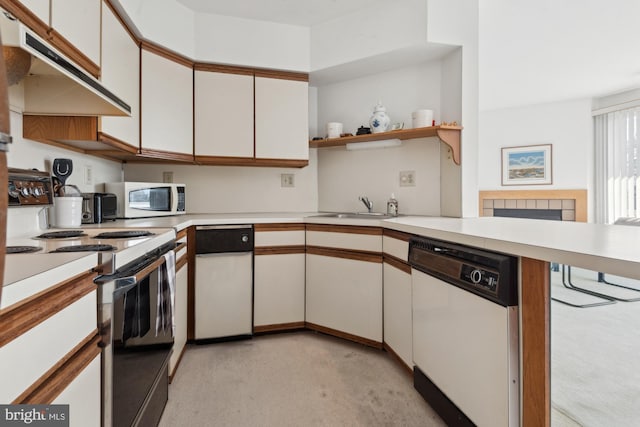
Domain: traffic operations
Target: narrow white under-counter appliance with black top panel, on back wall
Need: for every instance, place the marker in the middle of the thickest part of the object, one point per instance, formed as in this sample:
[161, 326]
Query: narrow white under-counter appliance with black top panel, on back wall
[224, 282]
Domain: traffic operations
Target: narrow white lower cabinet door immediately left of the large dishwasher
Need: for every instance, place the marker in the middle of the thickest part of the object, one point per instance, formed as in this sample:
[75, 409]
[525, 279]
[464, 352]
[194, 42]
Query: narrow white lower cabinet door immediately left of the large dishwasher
[397, 313]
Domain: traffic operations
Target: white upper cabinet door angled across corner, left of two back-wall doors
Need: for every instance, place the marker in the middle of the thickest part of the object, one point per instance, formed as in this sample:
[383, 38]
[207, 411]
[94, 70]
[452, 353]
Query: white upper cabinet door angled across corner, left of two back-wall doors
[166, 105]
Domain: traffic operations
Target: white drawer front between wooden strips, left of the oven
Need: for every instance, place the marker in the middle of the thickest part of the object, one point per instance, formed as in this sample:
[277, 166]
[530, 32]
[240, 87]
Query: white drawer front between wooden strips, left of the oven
[41, 347]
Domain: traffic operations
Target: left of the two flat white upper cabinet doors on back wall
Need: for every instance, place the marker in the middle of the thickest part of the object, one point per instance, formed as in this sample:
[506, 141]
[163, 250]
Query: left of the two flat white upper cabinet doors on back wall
[223, 114]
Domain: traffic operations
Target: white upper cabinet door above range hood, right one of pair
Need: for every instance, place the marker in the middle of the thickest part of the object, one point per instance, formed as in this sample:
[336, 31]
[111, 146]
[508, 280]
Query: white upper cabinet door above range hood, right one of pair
[78, 21]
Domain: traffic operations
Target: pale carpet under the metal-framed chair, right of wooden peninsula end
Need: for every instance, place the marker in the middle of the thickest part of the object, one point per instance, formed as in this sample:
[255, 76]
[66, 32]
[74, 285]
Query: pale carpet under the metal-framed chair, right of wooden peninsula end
[595, 352]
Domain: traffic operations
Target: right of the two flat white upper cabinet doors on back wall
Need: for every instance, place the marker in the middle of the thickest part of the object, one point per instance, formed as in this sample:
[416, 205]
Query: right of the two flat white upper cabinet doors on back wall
[281, 118]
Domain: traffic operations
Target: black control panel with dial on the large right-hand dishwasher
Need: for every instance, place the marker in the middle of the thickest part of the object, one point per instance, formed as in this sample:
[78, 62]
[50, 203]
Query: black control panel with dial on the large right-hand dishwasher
[491, 275]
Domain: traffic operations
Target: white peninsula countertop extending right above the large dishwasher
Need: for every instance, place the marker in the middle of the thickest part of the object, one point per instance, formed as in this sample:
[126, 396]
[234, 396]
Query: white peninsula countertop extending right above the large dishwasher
[606, 248]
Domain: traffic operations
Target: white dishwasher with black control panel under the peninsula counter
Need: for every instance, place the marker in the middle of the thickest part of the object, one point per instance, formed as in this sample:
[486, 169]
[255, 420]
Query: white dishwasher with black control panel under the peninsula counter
[465, 332]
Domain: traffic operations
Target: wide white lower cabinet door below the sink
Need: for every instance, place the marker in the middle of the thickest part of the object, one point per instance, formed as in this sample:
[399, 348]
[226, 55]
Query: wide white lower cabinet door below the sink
[345, 295]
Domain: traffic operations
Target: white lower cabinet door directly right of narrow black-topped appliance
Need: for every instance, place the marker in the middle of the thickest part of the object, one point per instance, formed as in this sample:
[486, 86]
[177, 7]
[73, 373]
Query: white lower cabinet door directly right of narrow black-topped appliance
[278, 289]
